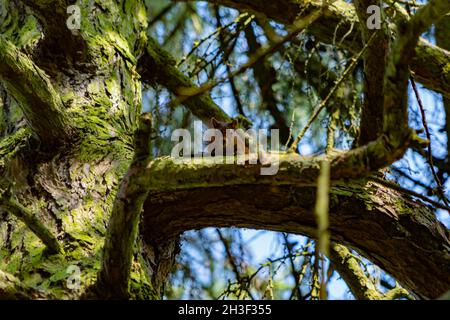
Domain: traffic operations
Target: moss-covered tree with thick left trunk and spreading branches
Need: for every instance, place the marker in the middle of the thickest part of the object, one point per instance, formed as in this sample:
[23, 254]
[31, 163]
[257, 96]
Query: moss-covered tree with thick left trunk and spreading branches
[90, 208]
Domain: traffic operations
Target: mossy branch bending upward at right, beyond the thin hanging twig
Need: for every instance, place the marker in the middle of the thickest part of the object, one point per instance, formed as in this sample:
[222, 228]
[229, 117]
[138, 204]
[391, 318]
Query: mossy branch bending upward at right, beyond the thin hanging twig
[397, 136]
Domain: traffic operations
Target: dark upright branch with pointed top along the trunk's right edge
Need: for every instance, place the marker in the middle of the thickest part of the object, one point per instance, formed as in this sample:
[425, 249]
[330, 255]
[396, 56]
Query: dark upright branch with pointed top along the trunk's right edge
[114, 276]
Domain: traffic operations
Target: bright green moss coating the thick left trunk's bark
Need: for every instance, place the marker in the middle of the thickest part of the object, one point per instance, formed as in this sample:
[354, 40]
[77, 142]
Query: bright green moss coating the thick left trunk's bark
[105, 112]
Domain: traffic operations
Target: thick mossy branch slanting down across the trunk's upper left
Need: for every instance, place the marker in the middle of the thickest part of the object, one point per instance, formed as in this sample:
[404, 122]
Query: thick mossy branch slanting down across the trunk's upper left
[39, 101]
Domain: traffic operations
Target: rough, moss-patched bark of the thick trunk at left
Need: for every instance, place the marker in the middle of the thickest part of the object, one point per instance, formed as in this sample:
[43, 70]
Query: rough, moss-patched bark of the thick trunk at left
[71, 190]
